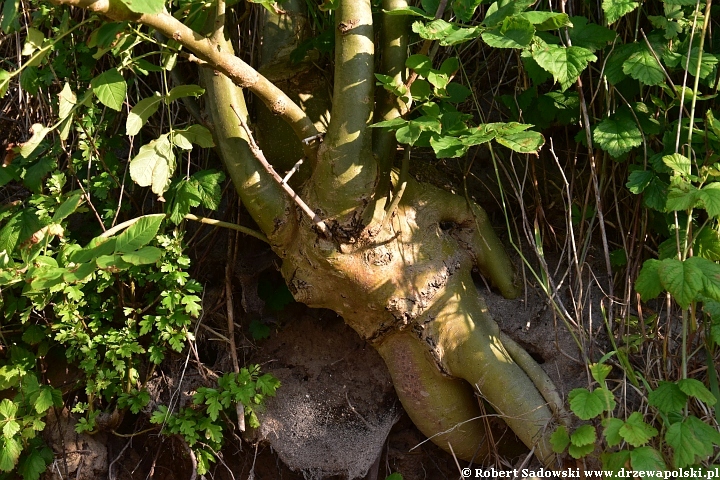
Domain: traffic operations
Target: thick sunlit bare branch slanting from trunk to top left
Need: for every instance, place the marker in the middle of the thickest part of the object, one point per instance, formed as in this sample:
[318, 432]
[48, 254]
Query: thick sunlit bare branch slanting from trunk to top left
[208, 51]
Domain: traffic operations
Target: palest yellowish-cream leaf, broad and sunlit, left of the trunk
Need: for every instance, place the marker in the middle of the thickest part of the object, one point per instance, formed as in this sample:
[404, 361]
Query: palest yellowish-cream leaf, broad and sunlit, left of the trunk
[154, 165]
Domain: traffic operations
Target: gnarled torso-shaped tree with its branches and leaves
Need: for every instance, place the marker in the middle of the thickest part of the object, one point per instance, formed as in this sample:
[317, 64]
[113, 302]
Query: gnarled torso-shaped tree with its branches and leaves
[391, 255]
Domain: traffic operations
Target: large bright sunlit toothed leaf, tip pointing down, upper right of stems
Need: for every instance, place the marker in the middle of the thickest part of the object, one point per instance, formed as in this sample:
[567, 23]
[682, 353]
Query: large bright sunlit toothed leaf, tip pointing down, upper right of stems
[564, 63]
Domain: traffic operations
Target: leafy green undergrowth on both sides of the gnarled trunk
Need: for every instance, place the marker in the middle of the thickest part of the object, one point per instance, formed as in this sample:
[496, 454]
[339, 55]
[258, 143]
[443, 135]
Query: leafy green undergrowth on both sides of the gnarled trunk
[95, 269]
